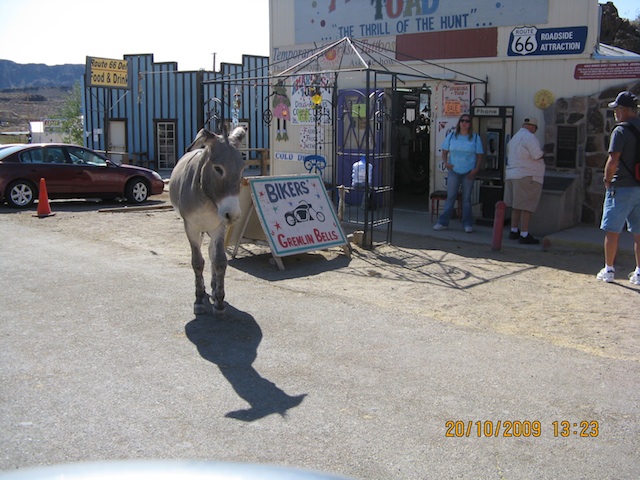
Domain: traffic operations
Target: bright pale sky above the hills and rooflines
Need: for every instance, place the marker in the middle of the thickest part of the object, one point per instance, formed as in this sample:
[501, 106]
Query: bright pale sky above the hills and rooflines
[55, 32]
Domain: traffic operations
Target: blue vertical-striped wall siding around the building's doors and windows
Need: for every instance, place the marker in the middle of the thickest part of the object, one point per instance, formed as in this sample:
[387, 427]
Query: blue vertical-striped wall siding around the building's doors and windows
[161, 93]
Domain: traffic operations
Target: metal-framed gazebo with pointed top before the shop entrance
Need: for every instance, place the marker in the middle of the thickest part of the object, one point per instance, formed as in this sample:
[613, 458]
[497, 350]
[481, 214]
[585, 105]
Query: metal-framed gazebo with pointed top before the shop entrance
[362, 112]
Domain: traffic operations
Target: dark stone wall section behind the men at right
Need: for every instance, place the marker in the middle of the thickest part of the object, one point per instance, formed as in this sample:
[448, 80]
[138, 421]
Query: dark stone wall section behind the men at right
[592, 121]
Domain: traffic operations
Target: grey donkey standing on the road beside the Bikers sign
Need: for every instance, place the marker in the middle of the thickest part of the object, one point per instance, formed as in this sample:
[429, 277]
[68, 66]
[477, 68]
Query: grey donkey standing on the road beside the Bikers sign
[204, 189]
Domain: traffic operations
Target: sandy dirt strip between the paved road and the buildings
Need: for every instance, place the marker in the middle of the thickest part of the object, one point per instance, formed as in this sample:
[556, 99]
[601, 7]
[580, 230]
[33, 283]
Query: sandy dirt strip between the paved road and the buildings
[552, 296]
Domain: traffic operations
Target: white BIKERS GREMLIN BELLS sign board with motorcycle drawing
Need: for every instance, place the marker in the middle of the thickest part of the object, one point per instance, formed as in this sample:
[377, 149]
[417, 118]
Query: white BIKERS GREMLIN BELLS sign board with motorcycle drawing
[296, 214]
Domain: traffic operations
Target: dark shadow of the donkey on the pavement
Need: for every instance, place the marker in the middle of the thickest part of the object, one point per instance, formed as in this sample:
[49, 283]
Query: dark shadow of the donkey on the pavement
[231, 342]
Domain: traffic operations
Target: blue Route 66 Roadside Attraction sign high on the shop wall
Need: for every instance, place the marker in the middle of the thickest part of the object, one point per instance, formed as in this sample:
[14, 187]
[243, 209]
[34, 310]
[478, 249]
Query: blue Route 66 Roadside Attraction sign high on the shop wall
[547, 41]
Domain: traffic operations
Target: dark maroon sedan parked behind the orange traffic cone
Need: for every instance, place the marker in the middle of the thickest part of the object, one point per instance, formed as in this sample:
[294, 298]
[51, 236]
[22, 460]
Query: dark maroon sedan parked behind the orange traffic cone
[70, 171]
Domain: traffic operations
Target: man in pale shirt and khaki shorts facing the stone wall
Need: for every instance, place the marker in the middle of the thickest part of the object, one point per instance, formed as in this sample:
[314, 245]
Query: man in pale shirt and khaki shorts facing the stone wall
[524, 175]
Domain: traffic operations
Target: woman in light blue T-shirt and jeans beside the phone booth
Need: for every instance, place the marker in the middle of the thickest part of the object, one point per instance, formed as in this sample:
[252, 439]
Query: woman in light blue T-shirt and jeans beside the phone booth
[461, 155]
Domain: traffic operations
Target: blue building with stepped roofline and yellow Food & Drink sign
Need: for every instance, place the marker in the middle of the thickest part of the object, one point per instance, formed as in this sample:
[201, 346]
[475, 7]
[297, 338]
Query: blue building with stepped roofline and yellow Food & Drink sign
[156, 119]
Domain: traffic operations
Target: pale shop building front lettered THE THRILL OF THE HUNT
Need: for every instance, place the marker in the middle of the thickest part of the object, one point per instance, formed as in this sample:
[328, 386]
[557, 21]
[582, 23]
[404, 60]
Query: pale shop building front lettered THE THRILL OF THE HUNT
[501, 61]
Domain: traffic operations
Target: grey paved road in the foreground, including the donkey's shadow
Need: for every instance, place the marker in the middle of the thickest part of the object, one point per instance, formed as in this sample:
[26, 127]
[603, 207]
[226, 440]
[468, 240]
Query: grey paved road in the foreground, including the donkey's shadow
[102, 359]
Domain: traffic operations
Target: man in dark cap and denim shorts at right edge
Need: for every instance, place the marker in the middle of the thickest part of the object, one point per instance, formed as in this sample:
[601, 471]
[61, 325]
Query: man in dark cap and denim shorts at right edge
[622, 197]
